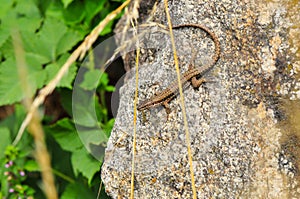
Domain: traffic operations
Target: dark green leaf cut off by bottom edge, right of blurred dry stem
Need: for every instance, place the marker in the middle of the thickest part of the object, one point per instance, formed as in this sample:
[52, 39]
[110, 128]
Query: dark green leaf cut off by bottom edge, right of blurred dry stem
[77, 191]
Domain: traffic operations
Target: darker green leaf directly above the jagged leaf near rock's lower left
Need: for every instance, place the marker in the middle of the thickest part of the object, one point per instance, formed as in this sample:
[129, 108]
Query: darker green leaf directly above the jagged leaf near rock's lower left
[65, 134]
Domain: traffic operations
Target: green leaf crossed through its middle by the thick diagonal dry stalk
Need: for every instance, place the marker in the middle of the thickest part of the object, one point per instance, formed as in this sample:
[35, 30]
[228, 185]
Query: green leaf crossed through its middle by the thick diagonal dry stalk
[52, 70]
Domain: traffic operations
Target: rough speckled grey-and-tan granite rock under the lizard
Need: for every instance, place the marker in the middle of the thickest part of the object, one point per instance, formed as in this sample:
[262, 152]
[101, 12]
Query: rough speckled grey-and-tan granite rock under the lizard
[234, 120]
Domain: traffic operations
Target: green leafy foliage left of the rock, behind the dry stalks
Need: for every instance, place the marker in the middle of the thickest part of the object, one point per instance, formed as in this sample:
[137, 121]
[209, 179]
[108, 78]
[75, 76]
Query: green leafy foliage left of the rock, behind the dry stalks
[49, 31]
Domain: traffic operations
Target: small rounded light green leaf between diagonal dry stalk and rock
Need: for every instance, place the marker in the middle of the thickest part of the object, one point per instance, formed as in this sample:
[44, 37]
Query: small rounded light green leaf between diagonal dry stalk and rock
[91, 79]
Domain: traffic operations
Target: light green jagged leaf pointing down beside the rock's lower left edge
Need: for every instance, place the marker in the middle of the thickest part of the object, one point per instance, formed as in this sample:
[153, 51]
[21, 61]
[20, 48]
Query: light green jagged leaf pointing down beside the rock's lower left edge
[84, 163]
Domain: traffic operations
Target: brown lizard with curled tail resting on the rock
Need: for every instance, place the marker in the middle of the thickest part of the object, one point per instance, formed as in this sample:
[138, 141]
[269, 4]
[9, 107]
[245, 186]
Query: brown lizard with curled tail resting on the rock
[165, 96]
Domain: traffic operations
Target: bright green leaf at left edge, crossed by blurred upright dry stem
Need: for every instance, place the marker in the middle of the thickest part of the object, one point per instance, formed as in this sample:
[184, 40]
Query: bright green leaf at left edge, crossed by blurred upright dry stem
[11, 87]
